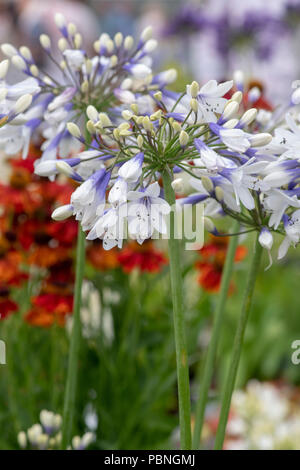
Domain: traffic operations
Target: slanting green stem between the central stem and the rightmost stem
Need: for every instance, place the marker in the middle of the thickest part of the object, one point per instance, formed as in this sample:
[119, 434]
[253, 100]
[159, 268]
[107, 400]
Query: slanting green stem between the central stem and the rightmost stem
[214, 340]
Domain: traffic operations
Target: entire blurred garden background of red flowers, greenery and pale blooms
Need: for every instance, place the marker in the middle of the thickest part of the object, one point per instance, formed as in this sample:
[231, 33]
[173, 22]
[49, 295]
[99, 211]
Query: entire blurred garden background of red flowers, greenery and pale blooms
[127, 393]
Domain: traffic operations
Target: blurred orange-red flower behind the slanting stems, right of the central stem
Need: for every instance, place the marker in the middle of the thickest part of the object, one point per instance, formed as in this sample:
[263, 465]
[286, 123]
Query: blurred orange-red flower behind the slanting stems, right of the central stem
[212, 261]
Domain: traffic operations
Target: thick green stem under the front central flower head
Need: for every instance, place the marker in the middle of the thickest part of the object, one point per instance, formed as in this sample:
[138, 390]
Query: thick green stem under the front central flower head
[179, 326]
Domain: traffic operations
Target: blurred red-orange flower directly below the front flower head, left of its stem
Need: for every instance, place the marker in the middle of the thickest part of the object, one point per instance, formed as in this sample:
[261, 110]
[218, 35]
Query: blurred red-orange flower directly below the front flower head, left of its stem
[144, 257]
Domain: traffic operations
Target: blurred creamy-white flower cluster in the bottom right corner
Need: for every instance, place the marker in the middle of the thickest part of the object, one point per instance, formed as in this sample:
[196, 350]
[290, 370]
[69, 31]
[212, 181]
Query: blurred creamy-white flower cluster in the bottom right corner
[264, 417]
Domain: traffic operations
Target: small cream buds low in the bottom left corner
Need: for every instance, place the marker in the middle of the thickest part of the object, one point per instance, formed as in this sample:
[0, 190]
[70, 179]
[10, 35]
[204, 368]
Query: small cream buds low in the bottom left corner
[46, 435]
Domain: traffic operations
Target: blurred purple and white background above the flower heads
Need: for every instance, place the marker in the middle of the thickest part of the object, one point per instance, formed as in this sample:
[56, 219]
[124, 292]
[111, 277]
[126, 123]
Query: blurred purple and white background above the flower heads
[202, 38]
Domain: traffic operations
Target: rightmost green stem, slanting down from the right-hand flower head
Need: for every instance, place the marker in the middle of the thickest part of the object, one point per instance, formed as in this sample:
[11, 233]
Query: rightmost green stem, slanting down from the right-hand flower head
[237, 345]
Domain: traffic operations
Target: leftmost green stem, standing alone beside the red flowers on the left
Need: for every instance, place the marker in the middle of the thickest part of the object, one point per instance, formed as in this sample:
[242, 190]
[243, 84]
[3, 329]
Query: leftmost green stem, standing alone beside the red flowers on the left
[70, 391]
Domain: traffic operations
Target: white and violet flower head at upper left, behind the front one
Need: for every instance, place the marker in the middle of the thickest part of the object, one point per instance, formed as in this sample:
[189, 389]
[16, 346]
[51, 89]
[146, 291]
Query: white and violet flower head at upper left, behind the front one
[120, 71]
